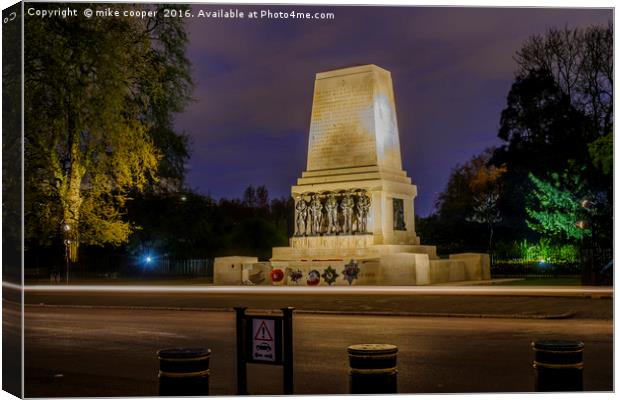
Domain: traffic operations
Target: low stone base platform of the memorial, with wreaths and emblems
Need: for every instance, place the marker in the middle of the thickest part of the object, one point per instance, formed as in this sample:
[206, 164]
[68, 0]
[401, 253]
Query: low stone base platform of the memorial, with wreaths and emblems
[396, 269]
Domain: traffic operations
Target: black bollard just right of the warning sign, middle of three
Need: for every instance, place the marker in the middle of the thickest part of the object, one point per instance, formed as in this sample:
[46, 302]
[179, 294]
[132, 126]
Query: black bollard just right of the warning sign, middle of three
[373, 368]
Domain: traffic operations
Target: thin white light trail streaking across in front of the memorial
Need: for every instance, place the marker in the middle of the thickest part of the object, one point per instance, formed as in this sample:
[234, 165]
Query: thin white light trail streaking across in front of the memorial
[586, 291]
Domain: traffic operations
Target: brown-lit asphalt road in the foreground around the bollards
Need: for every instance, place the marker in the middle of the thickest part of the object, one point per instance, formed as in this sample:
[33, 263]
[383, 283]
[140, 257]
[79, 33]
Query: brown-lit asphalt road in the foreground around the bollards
[112, 351]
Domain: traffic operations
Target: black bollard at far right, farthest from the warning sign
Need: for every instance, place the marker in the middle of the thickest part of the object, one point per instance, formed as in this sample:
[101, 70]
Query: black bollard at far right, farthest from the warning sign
[558, 365]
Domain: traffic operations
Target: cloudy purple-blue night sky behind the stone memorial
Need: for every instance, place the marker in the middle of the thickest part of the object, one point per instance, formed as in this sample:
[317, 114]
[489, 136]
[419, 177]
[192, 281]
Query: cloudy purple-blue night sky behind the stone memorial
[451, 68]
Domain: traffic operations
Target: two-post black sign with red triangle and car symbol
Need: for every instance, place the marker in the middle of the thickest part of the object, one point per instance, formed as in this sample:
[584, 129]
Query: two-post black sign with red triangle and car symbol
[265, 339]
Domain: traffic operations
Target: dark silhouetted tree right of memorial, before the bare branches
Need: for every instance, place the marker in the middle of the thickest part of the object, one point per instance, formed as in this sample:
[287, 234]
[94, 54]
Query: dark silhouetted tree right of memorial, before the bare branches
[542, 131]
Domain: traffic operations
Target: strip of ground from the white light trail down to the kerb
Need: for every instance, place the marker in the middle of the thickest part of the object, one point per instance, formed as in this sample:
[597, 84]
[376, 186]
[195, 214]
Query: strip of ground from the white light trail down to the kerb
[558, 302]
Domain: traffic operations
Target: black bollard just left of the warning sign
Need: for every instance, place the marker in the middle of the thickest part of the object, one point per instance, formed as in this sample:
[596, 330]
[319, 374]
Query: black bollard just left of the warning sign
[184, 372]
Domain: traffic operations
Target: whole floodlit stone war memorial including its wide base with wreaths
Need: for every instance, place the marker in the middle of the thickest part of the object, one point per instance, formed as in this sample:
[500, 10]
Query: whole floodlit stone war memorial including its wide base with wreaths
[354, 204]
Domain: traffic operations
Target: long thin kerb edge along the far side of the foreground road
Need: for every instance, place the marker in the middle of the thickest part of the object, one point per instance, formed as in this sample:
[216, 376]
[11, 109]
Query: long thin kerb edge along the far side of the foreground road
[565, 315]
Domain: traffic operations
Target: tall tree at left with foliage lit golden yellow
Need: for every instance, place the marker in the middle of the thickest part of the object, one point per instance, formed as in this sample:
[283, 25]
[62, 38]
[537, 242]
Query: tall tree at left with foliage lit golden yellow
[99, 98]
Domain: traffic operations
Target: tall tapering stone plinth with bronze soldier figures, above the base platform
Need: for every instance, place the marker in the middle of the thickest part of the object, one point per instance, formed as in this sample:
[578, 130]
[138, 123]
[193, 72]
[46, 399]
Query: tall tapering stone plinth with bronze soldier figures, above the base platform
[354, 151]
